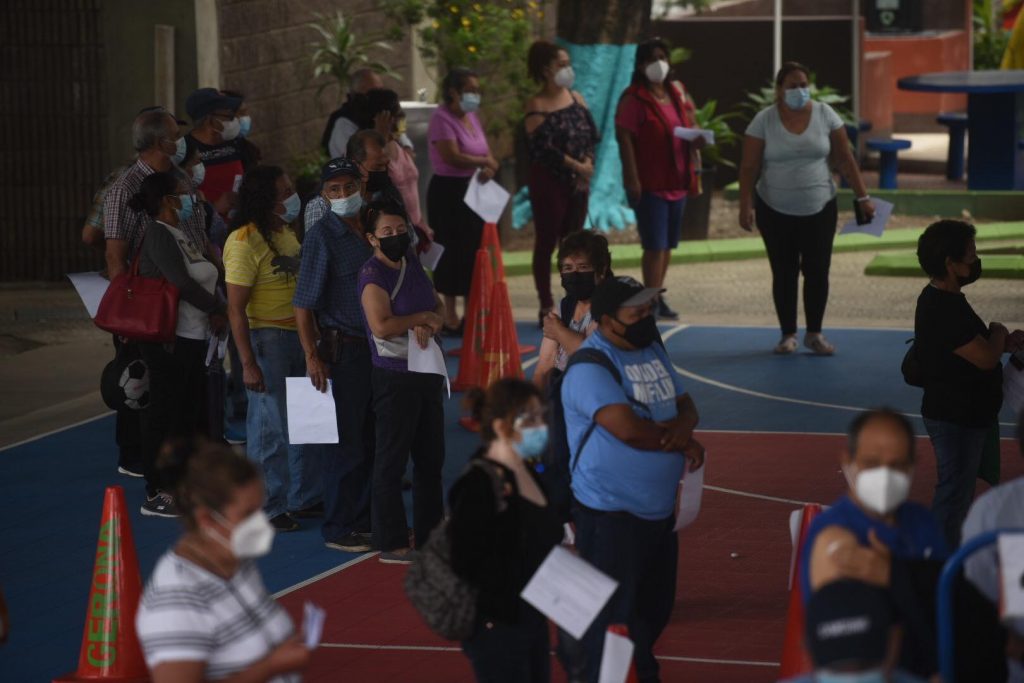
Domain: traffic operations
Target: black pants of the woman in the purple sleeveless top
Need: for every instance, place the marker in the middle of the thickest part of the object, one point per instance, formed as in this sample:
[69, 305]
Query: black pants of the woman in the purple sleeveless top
[410, 413]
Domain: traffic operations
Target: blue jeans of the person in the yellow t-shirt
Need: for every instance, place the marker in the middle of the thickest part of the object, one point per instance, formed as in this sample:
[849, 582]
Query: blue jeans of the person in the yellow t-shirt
[292, 475]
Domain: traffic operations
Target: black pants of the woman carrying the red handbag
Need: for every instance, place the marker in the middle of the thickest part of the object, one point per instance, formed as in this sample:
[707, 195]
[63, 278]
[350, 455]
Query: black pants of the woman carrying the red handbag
[178, 399]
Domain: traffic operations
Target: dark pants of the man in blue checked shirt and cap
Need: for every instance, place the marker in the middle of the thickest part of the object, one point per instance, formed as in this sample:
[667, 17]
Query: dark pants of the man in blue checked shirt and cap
[349, 466]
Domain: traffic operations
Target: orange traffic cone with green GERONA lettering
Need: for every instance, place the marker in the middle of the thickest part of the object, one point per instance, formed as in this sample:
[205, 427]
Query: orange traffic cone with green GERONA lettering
[110, 647]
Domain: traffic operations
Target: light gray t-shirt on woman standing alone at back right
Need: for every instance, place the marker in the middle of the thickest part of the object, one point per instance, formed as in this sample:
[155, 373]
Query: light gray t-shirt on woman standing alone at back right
[795, 176]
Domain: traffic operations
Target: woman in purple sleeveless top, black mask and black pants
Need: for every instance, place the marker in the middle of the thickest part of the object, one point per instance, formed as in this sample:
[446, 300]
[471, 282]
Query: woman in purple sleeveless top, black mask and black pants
[409, 407]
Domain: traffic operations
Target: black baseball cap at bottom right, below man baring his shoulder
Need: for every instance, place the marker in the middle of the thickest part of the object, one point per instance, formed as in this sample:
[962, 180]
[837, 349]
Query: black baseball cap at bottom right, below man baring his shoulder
[848, 625]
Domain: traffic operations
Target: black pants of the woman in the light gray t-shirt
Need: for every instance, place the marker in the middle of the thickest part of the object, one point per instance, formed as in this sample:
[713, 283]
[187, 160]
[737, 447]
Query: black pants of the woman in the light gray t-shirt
[795, 245]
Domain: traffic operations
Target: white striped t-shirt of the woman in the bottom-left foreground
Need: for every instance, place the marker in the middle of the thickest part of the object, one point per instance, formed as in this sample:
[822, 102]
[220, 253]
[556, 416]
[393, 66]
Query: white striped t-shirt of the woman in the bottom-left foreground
[190, 615]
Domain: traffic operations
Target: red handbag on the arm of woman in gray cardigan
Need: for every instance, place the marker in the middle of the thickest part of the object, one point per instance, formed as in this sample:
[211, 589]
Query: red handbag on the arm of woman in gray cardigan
[140, 309]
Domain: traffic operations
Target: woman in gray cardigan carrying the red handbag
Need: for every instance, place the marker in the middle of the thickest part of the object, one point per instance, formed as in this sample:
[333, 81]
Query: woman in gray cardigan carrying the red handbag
[178, 371]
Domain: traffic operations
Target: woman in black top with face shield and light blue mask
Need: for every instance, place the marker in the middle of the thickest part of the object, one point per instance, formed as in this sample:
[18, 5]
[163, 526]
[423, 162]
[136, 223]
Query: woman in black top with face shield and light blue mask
[500, 540]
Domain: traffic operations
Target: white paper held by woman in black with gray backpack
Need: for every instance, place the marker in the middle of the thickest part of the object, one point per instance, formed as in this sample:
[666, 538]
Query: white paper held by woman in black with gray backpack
[569, 591]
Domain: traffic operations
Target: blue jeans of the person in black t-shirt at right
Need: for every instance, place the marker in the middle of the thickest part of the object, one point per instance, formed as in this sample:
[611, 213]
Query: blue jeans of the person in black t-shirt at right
[958, 456]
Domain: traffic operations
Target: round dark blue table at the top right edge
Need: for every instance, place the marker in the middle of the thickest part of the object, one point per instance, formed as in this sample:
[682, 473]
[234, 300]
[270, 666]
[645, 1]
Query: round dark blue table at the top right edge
[996, 114]
